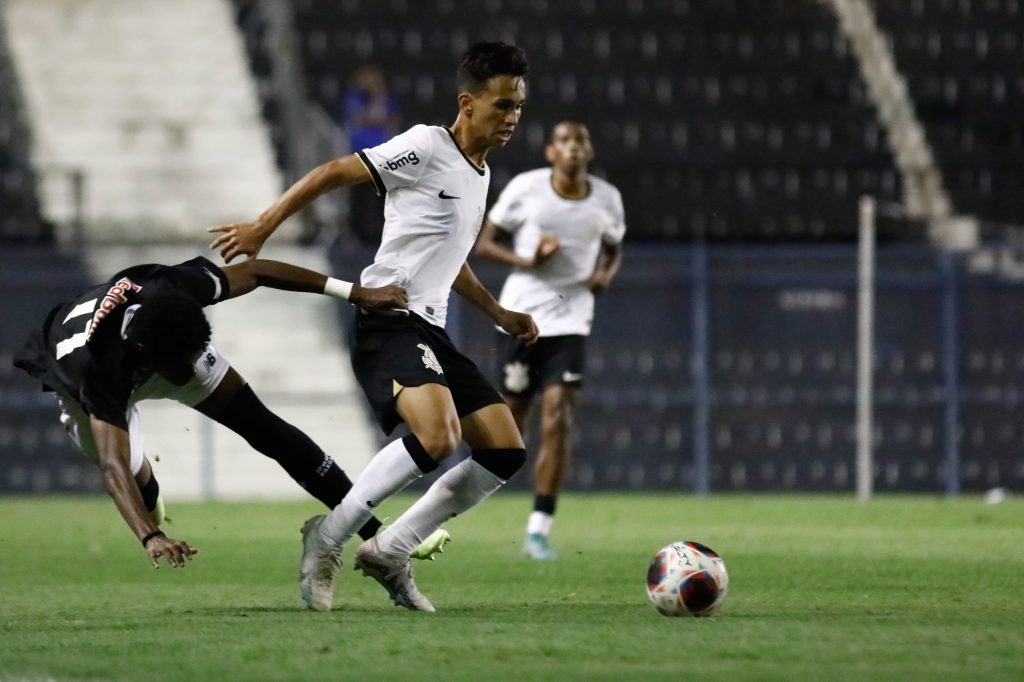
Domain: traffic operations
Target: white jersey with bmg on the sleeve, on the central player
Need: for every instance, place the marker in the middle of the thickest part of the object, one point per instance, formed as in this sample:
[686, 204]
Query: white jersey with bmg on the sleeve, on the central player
[434, 209]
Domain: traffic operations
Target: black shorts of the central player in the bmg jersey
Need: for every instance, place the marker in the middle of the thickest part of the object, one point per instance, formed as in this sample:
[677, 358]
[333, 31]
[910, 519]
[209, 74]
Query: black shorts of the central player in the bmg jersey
[392, 354]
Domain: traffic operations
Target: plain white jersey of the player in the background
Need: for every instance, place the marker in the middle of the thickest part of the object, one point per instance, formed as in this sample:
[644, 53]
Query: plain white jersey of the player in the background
[557, 294]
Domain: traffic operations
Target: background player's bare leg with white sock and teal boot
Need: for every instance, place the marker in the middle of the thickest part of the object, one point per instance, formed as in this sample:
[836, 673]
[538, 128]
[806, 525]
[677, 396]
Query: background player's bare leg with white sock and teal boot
[558, 410]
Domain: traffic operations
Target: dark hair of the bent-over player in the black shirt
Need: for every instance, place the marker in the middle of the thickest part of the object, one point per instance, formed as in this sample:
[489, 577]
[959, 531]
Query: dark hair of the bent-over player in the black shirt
[170, 326]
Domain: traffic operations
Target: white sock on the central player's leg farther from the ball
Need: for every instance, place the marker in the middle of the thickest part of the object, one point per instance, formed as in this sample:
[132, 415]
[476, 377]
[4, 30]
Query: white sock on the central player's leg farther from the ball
[390, 472]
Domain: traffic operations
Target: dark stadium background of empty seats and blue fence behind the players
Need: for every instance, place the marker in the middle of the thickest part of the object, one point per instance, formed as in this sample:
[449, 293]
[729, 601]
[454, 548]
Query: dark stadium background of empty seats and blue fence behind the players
[742, 136]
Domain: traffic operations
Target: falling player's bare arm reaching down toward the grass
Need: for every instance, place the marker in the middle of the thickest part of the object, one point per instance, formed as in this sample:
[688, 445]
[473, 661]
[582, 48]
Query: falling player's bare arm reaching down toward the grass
[115, 455]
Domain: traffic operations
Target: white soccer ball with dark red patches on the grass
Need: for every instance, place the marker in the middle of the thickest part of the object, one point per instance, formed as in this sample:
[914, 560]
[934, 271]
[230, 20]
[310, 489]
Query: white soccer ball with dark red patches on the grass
[688, 579]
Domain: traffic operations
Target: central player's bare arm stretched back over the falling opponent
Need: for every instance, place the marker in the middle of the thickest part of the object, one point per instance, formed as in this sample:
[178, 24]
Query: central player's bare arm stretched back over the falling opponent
[248, 238]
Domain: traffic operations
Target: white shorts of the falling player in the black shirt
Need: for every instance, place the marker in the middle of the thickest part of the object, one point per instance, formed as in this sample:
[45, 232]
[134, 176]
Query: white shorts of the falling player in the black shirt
[210, 371]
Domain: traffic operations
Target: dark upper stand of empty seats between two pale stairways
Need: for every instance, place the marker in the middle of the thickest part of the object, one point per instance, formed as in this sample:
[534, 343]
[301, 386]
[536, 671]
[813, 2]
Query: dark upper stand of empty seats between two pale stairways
[740, 120]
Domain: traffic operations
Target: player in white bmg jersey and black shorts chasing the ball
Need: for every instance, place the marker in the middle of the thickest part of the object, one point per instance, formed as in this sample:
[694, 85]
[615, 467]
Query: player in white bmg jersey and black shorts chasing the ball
[435, 181]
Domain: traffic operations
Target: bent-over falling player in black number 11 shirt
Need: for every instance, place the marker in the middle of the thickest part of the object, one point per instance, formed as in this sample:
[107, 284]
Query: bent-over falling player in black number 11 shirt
[143, 335]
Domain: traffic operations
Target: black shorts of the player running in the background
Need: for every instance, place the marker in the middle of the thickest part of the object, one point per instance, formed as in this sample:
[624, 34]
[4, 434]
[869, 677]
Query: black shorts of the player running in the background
[553, 360]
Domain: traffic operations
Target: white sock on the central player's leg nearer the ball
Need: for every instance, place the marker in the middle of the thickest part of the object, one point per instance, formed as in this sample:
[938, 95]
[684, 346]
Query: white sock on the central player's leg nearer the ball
[459, 490]
